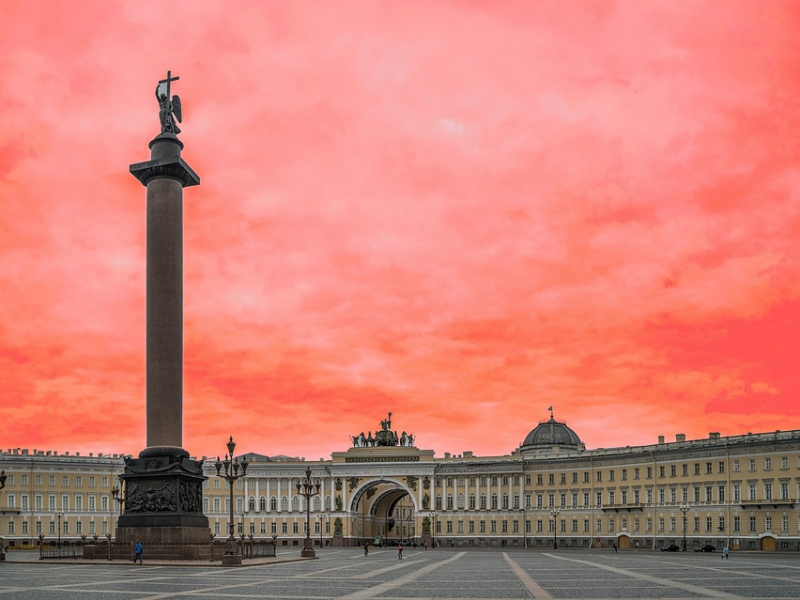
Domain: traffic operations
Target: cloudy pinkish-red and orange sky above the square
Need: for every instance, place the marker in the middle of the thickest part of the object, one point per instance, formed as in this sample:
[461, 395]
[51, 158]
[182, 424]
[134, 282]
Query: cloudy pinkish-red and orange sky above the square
[459, 212]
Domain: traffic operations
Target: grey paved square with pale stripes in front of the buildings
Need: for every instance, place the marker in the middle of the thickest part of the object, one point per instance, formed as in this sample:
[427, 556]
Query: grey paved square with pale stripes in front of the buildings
[346, 573]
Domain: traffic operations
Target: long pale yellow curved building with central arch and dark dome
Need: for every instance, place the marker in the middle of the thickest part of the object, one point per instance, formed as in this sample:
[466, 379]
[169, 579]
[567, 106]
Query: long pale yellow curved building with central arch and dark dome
[739, 490]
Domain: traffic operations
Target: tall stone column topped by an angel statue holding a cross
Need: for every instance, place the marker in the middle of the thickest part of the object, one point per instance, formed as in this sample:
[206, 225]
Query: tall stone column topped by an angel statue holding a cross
[163, 487]
